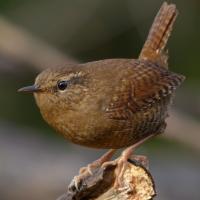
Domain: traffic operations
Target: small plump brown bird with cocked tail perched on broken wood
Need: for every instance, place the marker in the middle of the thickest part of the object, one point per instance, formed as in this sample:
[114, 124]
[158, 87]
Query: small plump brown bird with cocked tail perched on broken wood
[112, 103]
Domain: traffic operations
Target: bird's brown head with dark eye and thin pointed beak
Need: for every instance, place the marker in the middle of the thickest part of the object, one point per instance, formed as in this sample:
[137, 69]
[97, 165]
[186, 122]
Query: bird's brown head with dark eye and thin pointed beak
[58, 89]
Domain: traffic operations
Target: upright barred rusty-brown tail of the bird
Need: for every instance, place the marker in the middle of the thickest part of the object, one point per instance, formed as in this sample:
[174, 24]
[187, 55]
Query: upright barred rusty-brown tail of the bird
[153, 49]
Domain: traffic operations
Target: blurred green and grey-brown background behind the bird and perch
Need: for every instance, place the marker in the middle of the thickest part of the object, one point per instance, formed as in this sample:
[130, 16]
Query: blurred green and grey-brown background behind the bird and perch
[36, 163]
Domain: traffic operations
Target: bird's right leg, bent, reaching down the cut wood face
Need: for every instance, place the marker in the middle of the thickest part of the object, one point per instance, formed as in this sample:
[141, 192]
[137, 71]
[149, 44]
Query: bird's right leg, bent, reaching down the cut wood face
[123, 161]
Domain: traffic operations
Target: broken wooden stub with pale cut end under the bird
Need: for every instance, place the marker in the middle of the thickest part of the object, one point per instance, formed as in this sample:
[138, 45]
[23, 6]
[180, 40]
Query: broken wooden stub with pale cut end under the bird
[138, 183]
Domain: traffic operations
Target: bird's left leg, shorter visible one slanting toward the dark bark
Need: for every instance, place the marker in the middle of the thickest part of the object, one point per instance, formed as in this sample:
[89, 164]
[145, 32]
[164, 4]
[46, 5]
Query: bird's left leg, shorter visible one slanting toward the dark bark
[98, 163]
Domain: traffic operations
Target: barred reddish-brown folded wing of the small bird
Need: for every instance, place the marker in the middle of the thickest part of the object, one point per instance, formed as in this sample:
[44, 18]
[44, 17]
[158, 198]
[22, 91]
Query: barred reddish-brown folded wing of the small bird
[145, 86]
